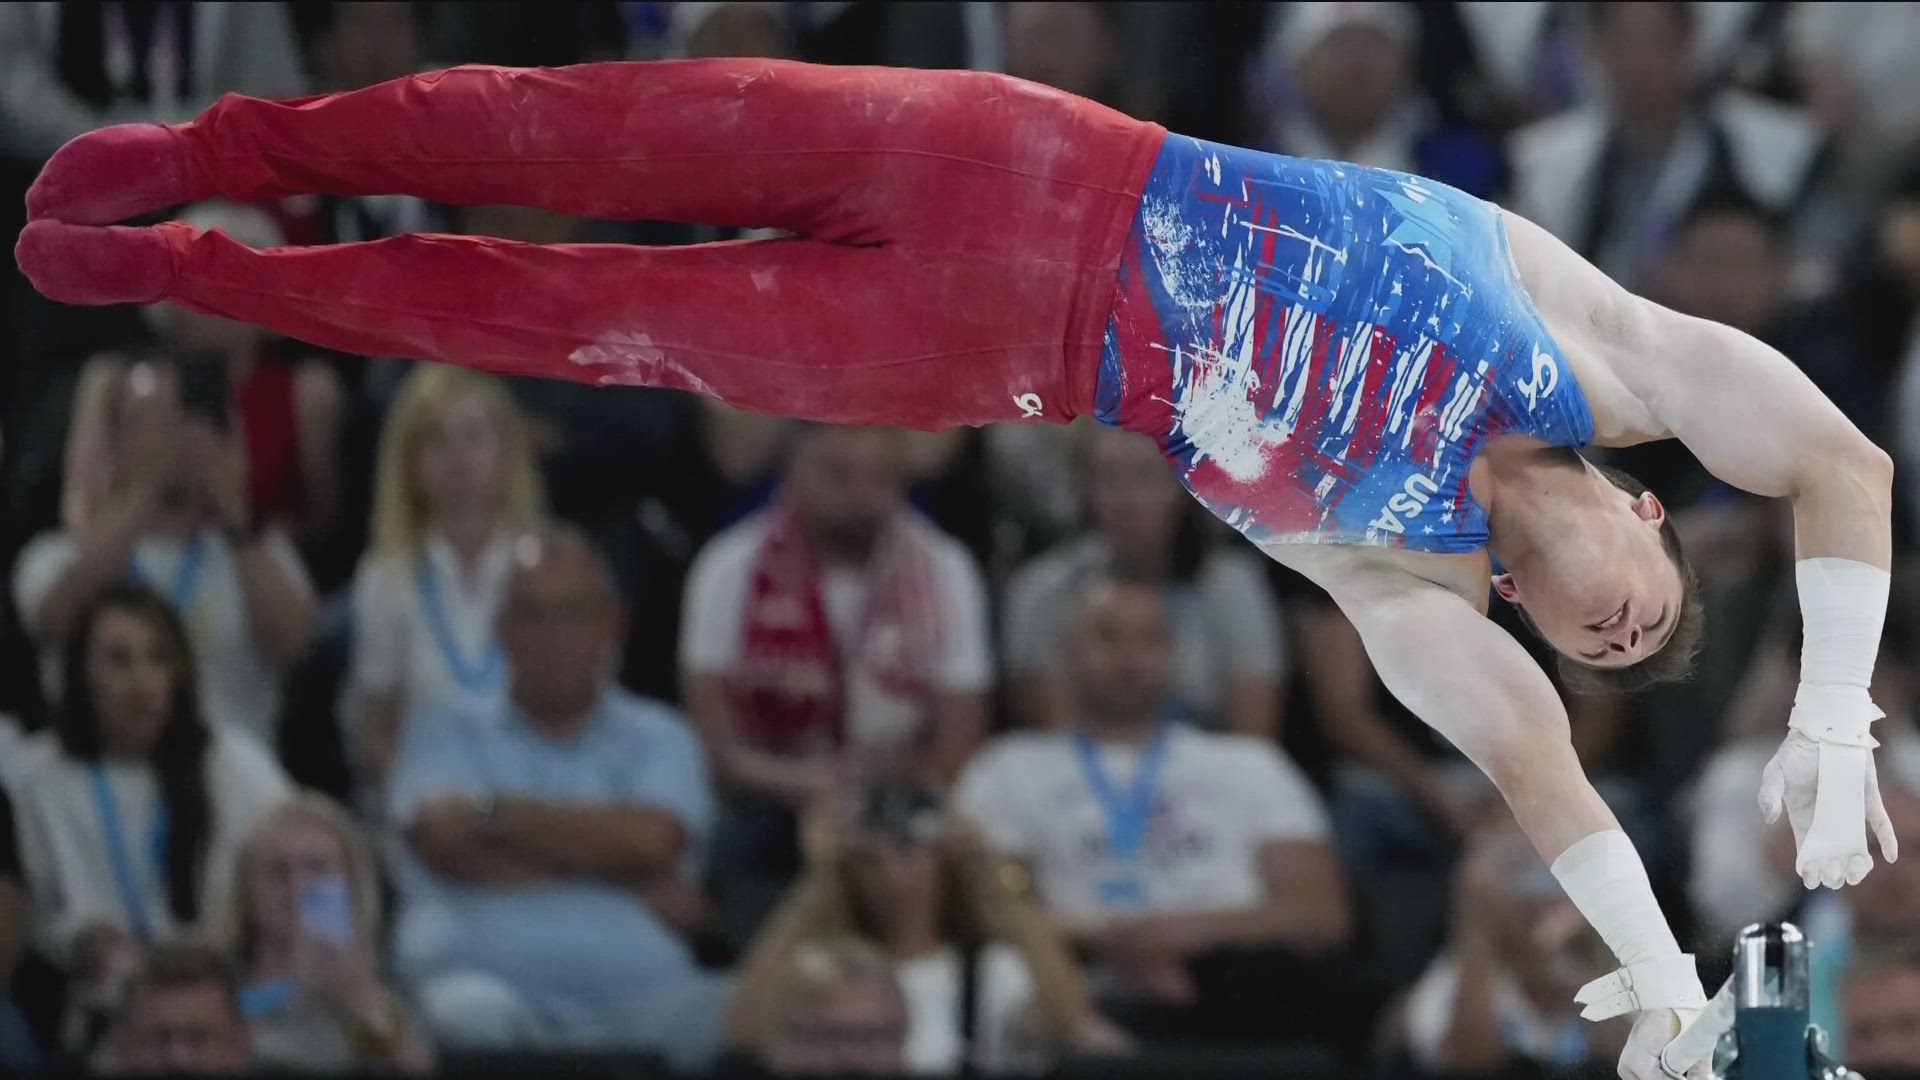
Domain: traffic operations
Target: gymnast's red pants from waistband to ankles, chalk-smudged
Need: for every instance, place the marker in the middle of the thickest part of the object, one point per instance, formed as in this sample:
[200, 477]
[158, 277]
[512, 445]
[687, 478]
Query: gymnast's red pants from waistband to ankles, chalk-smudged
[953, 255]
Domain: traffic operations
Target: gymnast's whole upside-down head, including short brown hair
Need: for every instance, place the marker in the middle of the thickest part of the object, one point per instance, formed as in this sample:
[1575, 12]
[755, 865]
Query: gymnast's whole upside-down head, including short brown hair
[1610, 593]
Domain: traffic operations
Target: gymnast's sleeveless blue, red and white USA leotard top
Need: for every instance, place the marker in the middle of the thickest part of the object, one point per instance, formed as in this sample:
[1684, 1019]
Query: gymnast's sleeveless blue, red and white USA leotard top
[1322, 349]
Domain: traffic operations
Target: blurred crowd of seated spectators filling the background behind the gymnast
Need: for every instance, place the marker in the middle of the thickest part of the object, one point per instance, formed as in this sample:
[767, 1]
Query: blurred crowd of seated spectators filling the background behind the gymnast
[362, 714]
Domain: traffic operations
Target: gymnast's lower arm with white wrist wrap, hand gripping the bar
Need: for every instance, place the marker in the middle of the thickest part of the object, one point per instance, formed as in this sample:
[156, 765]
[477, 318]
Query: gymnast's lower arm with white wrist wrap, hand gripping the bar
[1477, 687]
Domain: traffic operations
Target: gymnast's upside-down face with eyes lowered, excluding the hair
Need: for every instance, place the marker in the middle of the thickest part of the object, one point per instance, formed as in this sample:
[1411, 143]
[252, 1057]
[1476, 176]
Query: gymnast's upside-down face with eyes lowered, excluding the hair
[1604, 593]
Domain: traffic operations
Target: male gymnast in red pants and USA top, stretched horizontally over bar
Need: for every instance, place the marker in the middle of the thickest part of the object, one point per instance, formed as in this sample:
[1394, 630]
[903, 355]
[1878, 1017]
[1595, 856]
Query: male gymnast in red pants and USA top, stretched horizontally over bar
[1376, 378]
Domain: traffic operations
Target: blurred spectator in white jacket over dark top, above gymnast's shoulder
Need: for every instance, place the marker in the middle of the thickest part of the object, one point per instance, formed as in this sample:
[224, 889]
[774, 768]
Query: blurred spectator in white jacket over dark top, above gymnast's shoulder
[1616, 176]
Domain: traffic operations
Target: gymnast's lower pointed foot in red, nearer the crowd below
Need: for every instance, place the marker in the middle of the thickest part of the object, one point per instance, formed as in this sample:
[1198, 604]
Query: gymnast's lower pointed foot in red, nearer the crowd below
[85, 264]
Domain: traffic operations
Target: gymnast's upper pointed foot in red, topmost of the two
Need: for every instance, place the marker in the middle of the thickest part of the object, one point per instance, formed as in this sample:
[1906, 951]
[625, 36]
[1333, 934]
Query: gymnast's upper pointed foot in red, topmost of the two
[110, 176]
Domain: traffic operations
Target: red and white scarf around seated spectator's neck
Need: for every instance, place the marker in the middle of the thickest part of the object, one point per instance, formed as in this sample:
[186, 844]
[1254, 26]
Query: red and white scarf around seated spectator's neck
[794, 675]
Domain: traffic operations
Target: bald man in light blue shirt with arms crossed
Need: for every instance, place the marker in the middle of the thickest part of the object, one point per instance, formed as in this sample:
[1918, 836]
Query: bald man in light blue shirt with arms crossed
[548, 843]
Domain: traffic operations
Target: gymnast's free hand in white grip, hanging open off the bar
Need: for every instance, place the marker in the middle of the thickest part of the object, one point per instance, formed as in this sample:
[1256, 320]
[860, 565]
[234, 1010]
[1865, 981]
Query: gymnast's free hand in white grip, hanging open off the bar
[1829, 787]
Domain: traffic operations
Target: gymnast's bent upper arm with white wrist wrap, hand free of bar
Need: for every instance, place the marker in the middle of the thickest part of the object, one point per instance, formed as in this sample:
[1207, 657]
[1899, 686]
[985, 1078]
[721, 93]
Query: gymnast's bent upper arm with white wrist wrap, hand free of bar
[1760, 424]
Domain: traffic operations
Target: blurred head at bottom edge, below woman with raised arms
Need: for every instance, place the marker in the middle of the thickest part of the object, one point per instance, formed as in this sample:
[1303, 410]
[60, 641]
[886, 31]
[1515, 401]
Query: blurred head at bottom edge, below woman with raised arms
[838, 1010]
